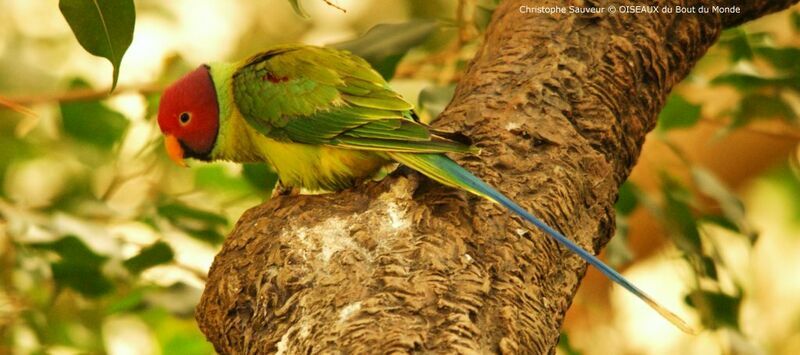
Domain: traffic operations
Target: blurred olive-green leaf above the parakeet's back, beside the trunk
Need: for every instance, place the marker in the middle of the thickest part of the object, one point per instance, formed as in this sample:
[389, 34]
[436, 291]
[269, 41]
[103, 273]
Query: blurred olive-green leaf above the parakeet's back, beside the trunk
[384, 45]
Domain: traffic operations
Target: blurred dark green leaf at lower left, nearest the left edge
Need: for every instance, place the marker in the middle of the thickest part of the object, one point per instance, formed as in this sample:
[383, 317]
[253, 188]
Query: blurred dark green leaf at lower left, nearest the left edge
[85, 278]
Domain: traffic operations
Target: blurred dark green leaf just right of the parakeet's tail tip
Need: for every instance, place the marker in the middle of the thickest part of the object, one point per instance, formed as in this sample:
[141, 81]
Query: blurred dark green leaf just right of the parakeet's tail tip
[716, 309]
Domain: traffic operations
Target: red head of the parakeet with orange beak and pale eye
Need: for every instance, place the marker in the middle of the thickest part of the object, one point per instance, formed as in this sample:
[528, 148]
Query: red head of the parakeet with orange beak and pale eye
[188, 115]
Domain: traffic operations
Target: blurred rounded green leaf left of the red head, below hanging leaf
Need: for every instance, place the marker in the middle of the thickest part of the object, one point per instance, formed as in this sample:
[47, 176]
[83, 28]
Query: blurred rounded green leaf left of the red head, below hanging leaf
[91, 121]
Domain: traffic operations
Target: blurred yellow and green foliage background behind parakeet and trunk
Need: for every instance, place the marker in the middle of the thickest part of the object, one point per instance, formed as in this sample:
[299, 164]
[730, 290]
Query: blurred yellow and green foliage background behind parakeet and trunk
[105, 244]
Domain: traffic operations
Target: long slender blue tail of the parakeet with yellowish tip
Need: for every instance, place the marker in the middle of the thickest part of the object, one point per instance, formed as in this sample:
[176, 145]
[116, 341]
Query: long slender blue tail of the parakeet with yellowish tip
[448, 172]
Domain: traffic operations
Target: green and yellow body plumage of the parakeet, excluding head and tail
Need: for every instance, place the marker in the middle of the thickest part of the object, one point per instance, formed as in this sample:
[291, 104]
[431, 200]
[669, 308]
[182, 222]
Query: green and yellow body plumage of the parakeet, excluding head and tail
[323, 118]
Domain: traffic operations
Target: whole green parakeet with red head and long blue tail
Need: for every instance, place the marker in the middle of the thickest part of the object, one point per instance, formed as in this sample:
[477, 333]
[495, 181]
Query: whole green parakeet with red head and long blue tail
[323, 119]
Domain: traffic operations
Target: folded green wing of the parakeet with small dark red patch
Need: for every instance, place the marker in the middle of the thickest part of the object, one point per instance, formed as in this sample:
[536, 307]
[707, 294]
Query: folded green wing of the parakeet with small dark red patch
[325, 96]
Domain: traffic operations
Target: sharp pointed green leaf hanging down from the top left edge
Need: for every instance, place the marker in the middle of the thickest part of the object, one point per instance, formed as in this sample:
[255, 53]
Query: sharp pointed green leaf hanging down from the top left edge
[103, 27]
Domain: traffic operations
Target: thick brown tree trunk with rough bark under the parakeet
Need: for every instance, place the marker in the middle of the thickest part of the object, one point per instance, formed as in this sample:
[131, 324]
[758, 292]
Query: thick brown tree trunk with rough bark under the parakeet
[560, 105]
